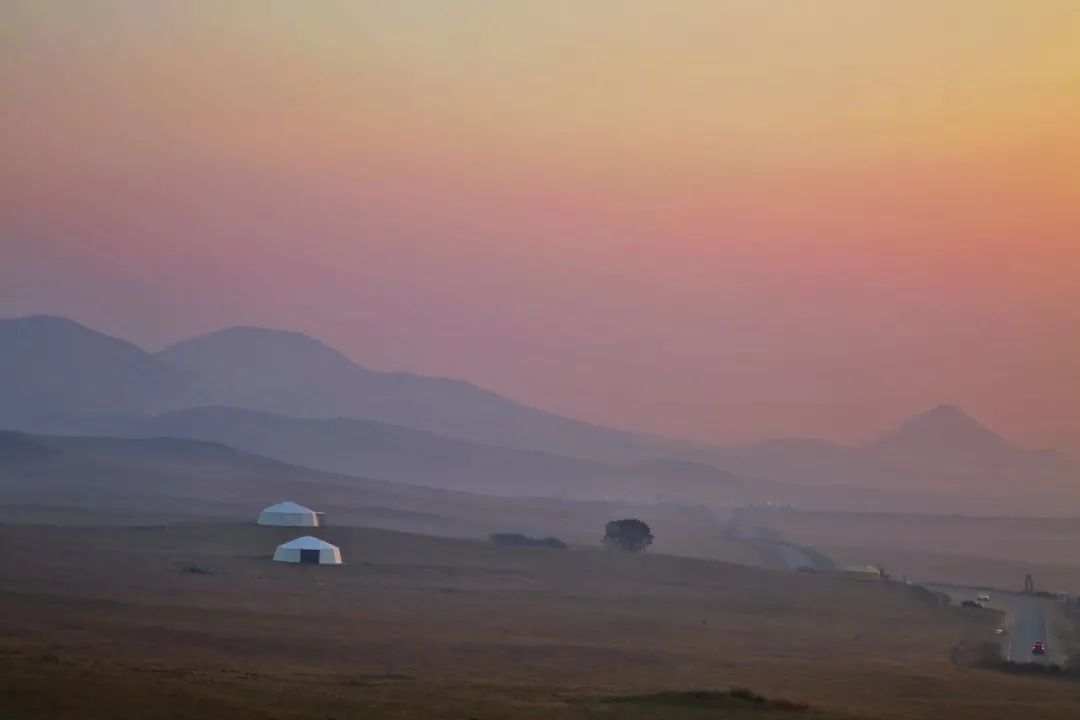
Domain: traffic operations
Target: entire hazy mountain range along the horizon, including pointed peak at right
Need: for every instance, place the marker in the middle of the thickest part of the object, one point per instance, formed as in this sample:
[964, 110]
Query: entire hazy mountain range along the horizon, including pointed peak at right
[288, 397]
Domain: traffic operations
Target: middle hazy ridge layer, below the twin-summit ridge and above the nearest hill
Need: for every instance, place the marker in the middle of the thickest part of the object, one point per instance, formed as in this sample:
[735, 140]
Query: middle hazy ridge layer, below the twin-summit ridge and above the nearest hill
[401, 455]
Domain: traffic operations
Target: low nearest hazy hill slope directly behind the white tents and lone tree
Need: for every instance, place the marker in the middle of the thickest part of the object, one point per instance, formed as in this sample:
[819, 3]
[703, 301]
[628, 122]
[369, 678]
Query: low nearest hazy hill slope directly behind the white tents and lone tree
[142, 477]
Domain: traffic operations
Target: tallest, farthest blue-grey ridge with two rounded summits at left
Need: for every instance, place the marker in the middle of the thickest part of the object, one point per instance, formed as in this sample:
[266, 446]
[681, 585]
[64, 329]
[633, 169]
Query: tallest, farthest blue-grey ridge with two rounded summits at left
[58, 374]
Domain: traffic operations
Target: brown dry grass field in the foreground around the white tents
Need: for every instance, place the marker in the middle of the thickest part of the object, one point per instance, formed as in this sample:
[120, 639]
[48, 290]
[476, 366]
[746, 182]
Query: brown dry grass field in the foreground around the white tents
[110, 622]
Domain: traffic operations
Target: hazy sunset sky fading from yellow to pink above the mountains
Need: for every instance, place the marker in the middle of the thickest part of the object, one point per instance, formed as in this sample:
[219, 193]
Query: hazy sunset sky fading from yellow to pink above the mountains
[721, 221]
